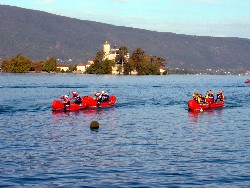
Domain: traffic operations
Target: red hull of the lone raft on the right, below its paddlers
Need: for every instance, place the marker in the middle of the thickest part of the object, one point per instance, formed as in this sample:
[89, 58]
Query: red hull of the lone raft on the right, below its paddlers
[194, 106]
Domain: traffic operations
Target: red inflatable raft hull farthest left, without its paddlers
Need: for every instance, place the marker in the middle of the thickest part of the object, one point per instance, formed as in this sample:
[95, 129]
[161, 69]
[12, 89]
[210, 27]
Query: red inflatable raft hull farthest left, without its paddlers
[59, 106]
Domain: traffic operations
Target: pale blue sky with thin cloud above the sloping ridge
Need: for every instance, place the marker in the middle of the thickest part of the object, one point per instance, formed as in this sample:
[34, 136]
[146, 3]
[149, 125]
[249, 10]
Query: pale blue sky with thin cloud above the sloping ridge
[218, 18]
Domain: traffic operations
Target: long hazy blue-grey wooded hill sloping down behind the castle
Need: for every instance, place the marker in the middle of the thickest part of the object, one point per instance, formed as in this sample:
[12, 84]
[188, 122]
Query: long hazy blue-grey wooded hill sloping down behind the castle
[39, 35]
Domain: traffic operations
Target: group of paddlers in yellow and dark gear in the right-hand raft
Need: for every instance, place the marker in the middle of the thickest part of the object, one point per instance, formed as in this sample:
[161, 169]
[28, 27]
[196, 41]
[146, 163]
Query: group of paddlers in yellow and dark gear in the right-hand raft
[209, 98]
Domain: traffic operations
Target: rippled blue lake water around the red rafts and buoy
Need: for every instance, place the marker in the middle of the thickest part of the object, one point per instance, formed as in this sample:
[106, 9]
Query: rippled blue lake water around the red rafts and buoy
[148, 139]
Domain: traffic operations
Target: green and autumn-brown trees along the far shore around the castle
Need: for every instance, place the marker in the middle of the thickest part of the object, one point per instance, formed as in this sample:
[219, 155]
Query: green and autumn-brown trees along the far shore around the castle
[139, 62]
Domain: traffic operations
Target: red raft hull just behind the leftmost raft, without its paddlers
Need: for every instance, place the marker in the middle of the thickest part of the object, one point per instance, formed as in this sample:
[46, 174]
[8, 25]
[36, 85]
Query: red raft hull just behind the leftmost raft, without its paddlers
[91, 102]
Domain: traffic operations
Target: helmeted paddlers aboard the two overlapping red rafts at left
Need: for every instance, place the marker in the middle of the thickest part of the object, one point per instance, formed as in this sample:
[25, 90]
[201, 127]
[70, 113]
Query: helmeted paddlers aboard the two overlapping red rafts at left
[98, 96]
